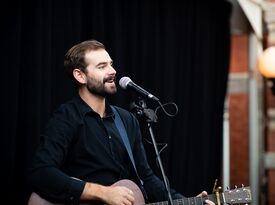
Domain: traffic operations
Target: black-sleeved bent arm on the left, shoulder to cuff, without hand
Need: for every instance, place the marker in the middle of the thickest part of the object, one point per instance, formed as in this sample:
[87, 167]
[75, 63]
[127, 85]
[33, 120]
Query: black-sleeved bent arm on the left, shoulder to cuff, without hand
[45, 175]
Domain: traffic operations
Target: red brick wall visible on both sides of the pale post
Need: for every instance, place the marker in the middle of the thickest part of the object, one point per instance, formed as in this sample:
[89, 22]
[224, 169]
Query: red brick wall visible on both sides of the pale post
[239, 121]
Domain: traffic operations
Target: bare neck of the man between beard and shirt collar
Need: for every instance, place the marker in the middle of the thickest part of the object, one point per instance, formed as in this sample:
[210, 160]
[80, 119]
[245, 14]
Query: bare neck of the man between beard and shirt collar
[97, 103]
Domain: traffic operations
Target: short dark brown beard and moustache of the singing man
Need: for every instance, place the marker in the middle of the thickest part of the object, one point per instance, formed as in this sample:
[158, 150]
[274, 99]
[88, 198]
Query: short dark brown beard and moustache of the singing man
[102, 89]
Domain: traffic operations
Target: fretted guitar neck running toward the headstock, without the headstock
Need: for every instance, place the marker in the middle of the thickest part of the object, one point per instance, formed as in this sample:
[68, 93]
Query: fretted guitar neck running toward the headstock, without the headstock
[192, 200]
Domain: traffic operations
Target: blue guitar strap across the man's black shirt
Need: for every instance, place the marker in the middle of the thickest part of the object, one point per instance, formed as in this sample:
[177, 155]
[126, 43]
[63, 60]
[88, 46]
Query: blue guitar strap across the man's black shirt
[123, 134]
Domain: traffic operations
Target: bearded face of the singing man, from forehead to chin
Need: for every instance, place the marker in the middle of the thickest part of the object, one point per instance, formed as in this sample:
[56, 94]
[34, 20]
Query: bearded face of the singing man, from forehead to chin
[101, 75]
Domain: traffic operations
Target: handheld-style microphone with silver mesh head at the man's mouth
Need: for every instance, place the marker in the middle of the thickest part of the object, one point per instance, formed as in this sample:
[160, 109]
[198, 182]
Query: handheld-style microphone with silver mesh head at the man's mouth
[126, 82]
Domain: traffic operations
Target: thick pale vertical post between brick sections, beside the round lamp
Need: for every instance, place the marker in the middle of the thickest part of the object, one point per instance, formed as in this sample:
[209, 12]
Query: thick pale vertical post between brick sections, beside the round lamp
[255, 121]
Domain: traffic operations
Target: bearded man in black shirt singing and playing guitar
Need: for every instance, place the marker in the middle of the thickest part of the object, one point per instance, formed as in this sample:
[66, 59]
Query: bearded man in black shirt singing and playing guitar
[81, 153]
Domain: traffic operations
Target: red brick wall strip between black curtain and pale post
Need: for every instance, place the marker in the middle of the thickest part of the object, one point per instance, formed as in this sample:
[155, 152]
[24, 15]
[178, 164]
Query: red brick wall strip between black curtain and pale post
[238, 114]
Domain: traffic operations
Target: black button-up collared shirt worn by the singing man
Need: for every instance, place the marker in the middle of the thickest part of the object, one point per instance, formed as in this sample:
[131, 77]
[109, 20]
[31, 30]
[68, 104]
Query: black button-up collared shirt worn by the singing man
[79, 146]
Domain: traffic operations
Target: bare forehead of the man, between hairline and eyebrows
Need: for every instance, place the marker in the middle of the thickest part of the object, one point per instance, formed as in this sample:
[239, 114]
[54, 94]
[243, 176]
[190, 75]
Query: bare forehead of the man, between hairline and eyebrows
[97, 56]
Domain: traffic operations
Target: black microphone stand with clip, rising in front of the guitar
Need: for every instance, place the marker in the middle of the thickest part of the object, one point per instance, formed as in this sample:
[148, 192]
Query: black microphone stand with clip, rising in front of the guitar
[151, 117]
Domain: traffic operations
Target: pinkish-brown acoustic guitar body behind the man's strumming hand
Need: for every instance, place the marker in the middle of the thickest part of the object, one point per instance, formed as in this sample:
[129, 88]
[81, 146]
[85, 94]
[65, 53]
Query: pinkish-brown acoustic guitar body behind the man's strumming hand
[35, 199]
